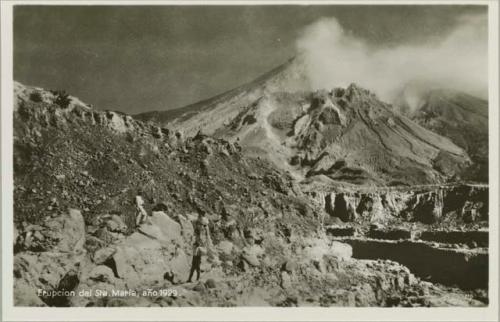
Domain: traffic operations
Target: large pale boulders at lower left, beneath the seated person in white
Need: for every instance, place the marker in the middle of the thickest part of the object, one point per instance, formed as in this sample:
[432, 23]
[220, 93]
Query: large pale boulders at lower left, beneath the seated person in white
[140, 260]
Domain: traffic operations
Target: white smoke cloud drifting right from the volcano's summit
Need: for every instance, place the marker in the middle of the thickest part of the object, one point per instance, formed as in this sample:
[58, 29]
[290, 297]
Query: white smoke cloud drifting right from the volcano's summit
[459, 60]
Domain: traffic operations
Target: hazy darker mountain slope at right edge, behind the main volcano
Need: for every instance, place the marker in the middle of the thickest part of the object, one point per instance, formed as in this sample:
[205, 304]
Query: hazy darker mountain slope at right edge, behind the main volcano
[461, 117]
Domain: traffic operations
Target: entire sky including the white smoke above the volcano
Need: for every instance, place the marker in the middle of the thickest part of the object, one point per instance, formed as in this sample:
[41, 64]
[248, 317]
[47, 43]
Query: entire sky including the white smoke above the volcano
[143, 58]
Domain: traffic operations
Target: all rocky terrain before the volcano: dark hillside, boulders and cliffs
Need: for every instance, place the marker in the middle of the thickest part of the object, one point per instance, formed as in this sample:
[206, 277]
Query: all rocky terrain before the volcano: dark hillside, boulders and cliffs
[272, 241]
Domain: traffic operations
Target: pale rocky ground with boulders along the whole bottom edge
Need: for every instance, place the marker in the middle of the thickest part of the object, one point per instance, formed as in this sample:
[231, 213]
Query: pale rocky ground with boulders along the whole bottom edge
[264, 268]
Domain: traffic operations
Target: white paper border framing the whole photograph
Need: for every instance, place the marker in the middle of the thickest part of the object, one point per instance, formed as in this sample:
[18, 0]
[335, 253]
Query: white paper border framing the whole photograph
[11, 313]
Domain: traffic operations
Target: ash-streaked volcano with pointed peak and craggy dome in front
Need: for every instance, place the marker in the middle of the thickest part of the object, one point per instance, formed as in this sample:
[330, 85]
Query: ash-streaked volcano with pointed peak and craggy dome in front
[344, 135]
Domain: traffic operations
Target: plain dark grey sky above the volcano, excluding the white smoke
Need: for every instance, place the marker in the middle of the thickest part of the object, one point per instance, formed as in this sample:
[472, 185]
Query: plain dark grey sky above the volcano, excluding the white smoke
[141, 58]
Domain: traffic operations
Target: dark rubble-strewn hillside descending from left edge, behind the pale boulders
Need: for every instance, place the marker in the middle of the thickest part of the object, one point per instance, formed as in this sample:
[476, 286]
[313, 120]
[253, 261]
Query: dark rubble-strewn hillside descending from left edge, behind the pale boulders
[96, 161]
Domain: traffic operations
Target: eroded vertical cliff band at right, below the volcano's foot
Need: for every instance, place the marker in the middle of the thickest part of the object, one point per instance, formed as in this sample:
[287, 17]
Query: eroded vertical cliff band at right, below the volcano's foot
[466, 203]
